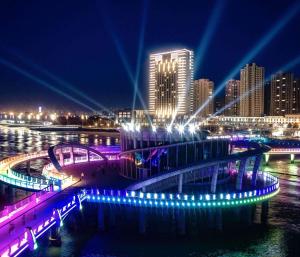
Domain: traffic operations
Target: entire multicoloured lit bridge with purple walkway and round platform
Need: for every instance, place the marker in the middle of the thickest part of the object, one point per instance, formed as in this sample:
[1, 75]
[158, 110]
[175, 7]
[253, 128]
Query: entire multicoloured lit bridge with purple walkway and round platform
[165, 169]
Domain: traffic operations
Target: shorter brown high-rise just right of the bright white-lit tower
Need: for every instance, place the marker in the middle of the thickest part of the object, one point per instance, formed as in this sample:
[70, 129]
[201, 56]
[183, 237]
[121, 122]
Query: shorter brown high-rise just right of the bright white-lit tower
[202, 92]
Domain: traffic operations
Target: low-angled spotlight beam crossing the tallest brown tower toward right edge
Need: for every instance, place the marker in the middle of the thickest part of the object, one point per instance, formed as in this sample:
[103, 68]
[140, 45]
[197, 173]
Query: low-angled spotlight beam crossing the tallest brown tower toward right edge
[287, 66]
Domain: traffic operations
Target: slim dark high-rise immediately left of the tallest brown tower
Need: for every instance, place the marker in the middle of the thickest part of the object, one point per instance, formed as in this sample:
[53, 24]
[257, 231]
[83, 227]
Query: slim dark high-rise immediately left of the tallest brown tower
[232, 93]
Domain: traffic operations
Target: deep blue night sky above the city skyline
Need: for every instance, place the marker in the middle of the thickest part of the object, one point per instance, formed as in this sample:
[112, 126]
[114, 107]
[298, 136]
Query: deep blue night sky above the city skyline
[76, 41]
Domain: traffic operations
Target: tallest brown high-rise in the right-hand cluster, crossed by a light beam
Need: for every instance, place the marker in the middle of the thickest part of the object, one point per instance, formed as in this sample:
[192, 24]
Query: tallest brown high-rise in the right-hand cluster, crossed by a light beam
[252, 91]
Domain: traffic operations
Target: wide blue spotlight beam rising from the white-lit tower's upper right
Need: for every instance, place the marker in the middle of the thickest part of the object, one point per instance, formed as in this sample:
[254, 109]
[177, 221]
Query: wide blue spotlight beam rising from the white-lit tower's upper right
[209, 32]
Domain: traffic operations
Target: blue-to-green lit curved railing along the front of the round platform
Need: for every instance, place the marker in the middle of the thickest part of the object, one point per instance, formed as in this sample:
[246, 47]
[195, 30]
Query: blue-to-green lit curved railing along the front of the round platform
[186, 200]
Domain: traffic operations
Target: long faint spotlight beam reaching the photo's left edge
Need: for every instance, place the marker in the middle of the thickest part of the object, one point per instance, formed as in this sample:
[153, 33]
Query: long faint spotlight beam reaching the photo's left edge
[43, 83]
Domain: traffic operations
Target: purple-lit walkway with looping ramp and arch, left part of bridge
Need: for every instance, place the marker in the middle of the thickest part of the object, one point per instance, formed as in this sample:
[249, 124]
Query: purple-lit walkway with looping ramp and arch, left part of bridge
[48, 198]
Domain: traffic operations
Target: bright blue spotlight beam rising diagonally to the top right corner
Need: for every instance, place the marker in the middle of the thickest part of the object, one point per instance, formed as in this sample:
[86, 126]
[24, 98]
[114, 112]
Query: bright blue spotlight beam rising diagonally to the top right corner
[292, 11]
